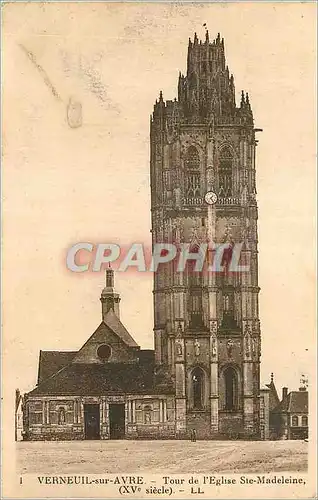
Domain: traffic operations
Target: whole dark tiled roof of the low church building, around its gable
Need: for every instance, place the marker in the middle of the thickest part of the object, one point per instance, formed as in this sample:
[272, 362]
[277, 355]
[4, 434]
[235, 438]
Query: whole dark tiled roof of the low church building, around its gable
[59, 374]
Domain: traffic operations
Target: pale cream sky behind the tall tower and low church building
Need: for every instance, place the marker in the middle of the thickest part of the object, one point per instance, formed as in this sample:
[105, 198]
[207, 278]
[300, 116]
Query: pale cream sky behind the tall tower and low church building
[63, 185]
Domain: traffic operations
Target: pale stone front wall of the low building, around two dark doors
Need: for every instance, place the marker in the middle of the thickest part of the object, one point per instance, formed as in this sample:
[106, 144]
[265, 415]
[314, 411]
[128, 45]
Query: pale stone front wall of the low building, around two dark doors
[150, 417]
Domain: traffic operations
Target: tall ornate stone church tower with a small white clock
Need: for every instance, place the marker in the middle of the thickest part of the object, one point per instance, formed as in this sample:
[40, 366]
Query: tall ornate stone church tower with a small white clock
[207, 331]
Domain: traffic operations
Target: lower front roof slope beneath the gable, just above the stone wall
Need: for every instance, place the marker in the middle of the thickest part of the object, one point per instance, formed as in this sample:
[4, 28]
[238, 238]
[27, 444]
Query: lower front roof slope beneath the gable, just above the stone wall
[100, 379]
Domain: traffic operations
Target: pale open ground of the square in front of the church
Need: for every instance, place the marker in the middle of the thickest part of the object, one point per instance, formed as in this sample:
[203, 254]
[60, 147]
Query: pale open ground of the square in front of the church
[98, 457]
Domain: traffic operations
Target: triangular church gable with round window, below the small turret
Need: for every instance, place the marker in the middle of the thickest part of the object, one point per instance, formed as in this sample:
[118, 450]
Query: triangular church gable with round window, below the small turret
[107, 346]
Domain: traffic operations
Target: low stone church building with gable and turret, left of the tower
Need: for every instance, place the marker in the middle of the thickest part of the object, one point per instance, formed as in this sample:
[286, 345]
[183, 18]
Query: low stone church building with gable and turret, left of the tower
[107, 389]
